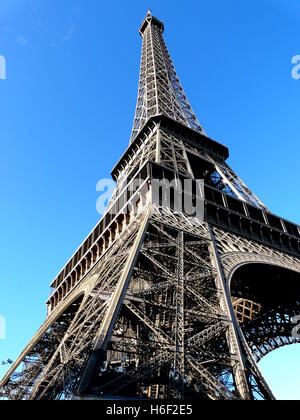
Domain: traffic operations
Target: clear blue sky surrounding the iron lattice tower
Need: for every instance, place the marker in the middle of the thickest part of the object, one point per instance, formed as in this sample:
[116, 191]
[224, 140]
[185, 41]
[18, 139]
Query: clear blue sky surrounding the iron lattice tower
[66, 111]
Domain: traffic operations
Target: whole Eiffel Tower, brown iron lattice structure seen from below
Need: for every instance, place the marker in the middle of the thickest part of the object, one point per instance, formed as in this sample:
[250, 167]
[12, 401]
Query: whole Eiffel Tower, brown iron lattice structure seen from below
[159, 303]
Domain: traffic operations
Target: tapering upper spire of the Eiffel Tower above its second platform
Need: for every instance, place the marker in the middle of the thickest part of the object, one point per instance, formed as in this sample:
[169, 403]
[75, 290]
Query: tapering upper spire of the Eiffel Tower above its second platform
[160, 91]
